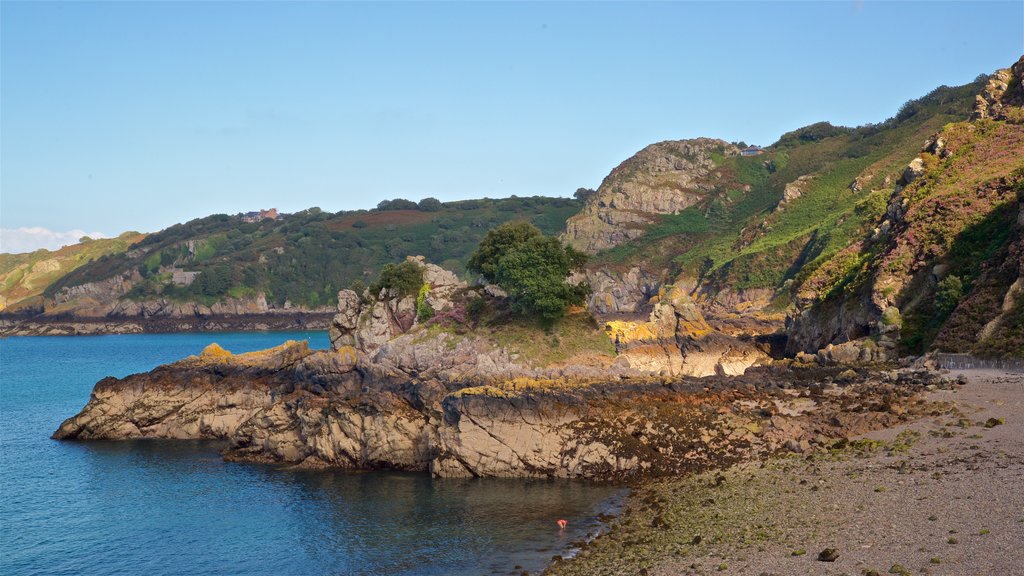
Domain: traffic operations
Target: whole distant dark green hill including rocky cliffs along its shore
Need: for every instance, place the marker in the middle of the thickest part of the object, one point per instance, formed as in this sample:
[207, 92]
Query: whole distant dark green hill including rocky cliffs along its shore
[223, 265]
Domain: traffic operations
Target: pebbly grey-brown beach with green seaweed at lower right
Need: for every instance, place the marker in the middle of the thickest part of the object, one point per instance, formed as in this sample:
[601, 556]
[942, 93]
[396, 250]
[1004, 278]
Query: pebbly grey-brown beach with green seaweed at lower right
[937, 496]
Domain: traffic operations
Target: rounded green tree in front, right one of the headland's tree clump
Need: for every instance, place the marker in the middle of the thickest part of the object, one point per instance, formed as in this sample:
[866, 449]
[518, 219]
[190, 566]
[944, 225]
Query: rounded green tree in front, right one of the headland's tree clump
[534, 274]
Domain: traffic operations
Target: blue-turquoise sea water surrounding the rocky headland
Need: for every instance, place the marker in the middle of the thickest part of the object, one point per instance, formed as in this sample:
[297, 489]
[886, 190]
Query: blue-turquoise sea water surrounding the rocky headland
[176, 508]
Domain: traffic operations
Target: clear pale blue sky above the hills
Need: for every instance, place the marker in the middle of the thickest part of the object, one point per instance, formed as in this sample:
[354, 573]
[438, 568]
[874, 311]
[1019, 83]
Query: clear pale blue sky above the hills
[118, 116]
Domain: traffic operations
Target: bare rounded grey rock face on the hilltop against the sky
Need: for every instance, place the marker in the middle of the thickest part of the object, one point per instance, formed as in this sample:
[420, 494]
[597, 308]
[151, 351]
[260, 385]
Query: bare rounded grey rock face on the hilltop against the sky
[663, 179]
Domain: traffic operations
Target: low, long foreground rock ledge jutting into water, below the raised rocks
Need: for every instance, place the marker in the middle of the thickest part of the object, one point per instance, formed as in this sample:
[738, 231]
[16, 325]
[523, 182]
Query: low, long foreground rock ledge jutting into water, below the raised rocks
[294, 406]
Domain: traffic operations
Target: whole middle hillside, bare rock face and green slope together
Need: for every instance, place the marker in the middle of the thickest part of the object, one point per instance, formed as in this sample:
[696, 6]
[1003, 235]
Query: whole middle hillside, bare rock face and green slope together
[747, 228]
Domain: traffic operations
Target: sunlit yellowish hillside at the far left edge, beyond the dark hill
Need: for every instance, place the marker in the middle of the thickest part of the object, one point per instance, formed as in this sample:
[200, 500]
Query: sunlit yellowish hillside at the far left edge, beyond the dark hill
[25, 277]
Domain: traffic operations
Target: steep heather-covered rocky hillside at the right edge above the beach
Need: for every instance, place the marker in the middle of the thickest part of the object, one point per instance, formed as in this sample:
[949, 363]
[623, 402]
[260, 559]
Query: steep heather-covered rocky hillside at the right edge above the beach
[943, 267]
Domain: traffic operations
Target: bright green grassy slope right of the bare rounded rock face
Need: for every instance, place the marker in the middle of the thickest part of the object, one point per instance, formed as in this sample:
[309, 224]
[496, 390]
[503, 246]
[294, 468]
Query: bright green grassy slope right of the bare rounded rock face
[738, 239]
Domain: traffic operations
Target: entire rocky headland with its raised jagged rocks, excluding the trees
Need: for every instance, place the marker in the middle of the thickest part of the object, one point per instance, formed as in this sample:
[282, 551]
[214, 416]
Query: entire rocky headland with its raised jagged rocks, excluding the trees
[646, 399]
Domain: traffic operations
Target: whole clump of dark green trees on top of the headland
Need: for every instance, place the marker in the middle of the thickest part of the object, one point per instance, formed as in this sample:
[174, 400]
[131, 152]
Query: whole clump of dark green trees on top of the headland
[533, 269]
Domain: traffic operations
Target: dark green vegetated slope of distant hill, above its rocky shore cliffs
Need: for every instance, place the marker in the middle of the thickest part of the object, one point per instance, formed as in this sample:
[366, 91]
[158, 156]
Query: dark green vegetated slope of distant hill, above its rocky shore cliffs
[307, 258]
